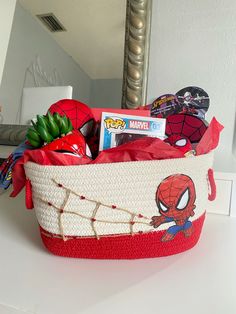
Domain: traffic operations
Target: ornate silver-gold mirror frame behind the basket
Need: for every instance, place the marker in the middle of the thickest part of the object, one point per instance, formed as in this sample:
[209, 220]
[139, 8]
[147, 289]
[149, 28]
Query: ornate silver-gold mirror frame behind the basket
[136, 54]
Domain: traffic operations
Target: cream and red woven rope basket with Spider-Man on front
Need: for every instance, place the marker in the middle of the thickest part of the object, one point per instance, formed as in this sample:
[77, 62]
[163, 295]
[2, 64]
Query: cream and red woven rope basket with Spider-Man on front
[106, 210]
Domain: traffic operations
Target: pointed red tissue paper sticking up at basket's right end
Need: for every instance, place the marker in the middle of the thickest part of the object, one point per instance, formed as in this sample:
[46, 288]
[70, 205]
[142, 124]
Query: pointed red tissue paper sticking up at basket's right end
[210, 139]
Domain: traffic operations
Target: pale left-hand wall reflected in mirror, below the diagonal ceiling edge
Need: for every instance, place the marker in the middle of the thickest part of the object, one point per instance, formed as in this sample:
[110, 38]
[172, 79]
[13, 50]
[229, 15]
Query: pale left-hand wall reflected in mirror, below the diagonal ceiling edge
[29, 39]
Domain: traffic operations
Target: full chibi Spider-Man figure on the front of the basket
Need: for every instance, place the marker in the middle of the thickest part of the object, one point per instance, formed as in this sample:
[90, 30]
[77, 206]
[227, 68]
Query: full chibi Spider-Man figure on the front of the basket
[175, 198]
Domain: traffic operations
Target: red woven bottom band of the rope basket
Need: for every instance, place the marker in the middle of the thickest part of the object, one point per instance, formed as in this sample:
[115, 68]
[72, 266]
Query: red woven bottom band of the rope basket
[123, 246]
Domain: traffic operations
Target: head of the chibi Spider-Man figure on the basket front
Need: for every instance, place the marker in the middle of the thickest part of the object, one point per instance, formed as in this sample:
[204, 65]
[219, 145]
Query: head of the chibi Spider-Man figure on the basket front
[175, 197]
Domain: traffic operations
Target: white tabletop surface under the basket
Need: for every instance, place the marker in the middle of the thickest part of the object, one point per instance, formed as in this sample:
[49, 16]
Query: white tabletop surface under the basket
[202, 280]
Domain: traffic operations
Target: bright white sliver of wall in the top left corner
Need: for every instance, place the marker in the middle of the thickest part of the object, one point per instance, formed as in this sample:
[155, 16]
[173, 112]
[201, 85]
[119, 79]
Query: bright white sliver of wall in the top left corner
[7, 8]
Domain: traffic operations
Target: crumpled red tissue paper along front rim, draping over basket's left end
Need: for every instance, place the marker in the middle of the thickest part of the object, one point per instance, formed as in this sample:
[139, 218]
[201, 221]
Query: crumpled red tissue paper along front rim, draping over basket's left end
[141, 149]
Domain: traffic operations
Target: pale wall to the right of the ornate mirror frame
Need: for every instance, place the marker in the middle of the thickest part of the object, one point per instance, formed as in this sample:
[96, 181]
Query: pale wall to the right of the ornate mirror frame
[194, 43]
